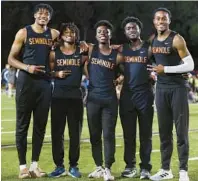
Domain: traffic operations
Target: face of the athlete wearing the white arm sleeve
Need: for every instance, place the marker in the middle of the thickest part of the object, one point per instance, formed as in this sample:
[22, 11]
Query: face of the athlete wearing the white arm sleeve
[161, 21]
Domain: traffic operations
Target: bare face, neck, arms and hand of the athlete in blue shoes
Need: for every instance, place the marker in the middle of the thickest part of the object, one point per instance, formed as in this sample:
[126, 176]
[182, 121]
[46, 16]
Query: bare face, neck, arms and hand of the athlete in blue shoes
[68, 47]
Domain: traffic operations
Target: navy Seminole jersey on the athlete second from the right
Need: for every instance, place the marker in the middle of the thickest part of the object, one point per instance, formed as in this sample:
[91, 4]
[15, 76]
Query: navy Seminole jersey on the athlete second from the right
[136, 76]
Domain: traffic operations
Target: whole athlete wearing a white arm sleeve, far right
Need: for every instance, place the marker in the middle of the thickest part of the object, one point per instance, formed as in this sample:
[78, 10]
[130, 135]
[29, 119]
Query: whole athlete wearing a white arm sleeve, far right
[172, 58]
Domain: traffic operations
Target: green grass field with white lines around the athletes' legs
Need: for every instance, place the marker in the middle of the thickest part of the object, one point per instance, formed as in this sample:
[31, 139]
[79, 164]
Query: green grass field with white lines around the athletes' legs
[9, 160]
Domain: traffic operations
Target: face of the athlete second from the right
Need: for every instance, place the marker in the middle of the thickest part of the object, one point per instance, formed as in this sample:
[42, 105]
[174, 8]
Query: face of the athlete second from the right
[132, 31]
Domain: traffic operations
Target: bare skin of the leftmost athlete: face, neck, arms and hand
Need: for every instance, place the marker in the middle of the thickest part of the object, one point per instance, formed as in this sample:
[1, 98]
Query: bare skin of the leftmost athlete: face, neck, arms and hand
[42, 18]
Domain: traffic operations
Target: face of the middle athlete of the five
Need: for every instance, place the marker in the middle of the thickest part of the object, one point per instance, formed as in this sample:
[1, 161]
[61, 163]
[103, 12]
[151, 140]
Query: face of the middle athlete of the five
[103, 34]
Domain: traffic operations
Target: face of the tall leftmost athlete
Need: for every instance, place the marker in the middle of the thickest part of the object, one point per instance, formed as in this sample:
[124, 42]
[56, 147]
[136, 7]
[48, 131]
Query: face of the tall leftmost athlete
[42, 17]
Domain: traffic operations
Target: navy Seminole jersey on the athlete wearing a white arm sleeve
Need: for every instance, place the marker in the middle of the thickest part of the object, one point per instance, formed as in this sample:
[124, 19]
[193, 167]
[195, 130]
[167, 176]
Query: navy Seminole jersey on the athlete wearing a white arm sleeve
[165, 54]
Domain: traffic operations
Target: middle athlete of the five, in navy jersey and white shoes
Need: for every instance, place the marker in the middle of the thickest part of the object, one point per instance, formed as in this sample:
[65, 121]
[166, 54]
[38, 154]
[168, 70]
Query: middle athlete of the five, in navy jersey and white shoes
[102, 103]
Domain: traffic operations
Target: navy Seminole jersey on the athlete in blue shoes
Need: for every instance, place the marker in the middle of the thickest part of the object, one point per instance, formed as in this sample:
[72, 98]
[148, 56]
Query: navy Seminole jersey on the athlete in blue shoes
[68, 87]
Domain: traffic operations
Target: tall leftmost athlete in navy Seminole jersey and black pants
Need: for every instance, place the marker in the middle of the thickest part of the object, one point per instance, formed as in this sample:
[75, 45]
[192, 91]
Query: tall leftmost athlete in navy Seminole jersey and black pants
[33, 87]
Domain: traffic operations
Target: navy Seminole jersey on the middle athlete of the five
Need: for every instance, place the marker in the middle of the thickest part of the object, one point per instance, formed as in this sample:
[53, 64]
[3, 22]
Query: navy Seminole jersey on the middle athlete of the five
[102, 73]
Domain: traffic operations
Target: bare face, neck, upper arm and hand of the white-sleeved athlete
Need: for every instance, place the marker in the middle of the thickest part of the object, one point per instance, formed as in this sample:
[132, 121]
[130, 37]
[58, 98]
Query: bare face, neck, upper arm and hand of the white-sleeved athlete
[161, 22]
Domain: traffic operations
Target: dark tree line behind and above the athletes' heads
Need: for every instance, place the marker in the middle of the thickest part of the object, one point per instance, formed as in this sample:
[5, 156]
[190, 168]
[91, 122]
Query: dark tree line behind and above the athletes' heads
[16, 15]
